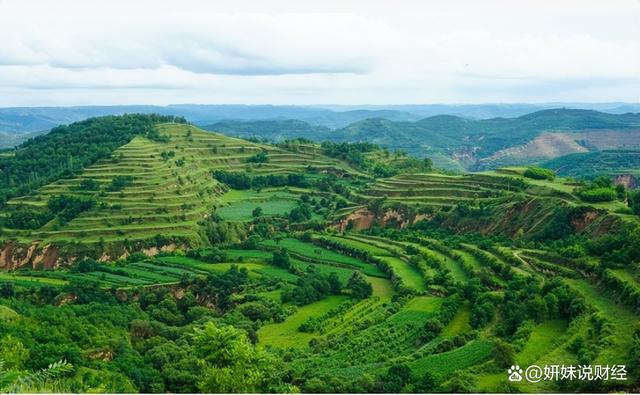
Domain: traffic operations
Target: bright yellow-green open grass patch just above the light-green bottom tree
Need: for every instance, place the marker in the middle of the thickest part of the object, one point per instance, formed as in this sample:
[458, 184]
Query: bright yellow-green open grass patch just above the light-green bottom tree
[286, 334]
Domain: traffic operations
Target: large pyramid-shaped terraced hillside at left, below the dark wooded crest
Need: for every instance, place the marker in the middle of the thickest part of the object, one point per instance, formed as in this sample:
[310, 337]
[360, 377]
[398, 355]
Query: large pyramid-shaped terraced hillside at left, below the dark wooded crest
[158, 189]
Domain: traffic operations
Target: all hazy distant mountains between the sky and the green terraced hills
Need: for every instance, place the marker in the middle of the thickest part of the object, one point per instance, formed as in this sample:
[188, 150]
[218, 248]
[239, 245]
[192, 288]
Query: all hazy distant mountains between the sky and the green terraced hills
[459, 137]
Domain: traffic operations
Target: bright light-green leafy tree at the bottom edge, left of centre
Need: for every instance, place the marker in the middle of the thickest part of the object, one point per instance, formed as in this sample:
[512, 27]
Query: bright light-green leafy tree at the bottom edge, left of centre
[231, 363]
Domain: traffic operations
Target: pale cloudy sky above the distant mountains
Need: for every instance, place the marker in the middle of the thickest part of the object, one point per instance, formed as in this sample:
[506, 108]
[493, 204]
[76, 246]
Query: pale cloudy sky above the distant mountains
[318, 52]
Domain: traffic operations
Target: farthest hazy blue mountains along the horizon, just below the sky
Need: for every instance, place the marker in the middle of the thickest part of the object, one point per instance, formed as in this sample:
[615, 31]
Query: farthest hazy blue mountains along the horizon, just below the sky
[35, 119]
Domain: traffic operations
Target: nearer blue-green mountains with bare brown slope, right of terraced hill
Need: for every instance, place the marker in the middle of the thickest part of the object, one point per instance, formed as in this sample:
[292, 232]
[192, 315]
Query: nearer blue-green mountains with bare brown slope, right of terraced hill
[459, 143]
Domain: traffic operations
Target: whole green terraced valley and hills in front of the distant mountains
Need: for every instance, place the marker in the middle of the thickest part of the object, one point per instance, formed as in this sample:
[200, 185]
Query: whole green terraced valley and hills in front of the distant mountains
[336, 267]
